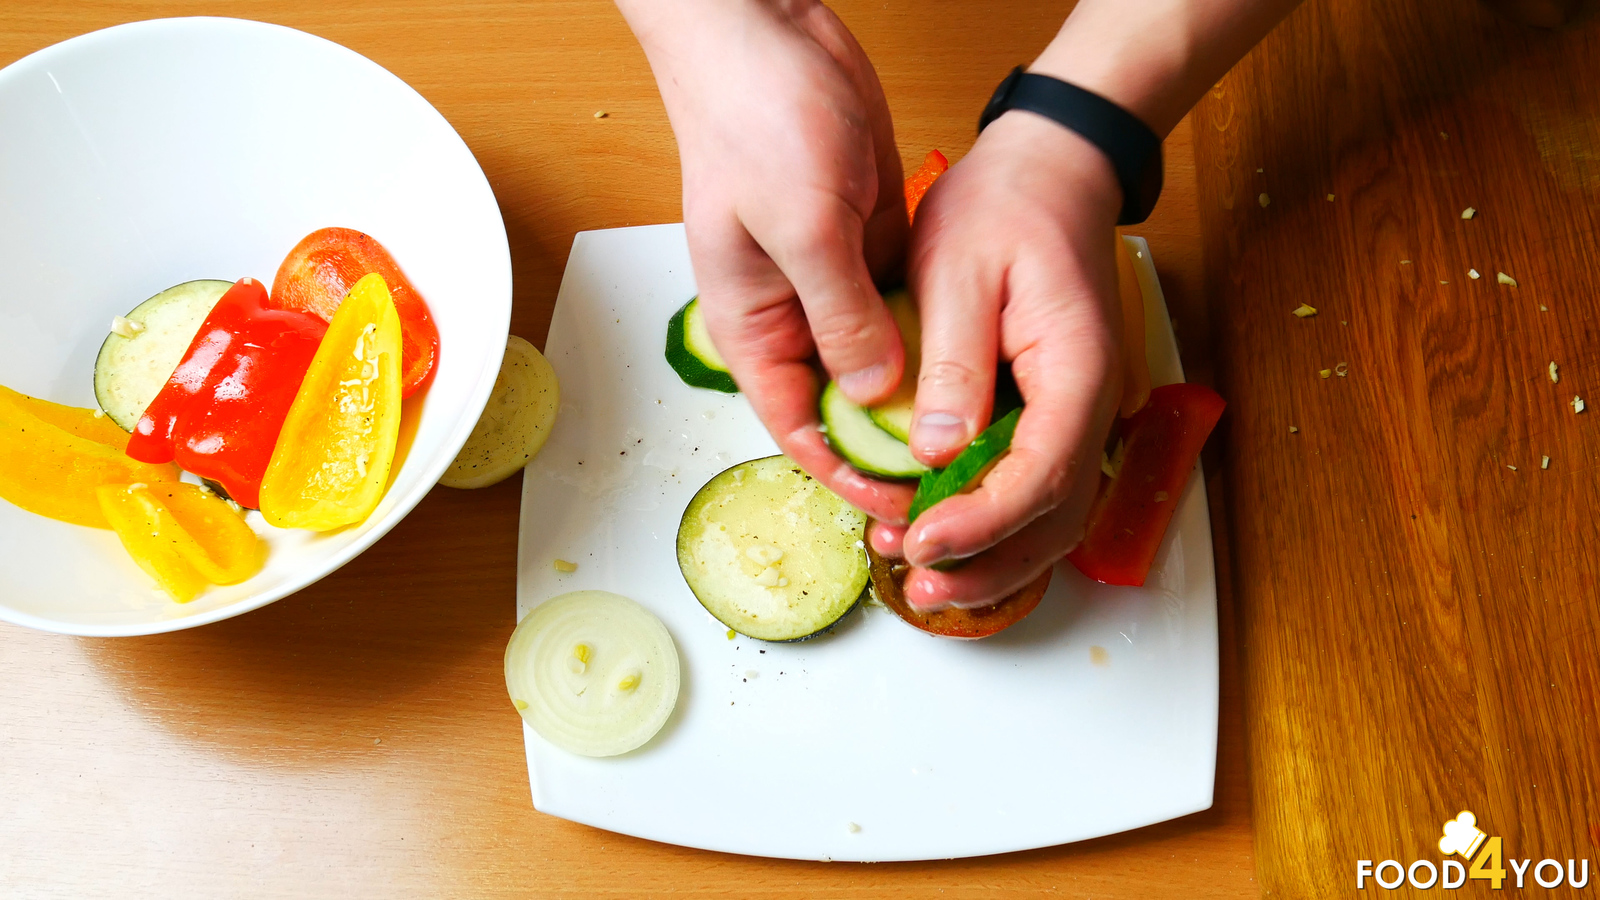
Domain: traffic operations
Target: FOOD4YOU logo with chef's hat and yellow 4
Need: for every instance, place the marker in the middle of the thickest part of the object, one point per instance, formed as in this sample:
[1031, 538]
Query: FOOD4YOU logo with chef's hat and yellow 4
[1487, 854]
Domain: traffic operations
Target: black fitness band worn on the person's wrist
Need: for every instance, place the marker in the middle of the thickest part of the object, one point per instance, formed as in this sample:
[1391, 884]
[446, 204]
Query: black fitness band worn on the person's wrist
[1130, 145]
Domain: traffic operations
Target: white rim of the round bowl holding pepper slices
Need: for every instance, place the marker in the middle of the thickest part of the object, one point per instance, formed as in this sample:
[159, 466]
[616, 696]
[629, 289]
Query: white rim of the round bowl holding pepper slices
[476, 401]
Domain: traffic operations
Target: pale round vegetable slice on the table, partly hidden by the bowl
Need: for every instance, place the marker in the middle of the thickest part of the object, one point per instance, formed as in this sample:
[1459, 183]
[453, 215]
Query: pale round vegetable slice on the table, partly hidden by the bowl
[514, 425]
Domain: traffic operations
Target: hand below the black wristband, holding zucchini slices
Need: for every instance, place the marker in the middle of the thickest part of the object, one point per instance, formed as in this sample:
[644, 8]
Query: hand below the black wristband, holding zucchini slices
[1012, 255]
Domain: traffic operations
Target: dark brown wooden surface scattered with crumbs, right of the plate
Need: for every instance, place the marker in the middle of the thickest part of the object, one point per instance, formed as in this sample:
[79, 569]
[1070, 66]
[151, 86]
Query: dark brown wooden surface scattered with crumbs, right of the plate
[1417, 597]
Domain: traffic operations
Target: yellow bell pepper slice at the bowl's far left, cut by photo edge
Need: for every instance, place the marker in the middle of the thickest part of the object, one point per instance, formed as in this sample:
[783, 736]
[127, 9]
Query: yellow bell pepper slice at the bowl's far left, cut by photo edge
[54, 457]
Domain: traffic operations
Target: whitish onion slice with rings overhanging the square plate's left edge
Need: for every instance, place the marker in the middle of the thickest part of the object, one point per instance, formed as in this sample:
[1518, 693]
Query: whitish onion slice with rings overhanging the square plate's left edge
[594, 673]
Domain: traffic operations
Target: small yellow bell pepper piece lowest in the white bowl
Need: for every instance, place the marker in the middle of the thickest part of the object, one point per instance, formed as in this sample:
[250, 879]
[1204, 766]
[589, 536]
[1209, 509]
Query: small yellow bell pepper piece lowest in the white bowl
[183, 536]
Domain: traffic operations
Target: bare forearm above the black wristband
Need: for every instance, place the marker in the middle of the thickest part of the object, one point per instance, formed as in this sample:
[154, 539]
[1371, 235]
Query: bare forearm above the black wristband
[1156, 58]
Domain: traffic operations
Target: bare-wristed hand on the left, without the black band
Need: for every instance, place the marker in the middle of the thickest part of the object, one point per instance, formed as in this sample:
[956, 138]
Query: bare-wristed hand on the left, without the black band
[794, 206]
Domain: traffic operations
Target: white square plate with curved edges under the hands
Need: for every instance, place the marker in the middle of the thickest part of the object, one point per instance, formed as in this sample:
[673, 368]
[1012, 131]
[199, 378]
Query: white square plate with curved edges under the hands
[874, 742]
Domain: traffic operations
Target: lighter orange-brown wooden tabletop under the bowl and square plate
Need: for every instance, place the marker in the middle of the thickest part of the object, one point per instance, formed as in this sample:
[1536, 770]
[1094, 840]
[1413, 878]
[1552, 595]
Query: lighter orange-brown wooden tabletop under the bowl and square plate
[354, 741]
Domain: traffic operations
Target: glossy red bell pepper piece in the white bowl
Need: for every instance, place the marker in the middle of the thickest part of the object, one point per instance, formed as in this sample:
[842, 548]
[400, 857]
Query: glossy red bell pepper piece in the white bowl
[223, 408]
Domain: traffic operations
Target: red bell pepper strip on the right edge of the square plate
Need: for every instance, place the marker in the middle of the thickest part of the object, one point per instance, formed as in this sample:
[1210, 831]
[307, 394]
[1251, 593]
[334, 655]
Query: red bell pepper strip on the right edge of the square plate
[1130, 516]
